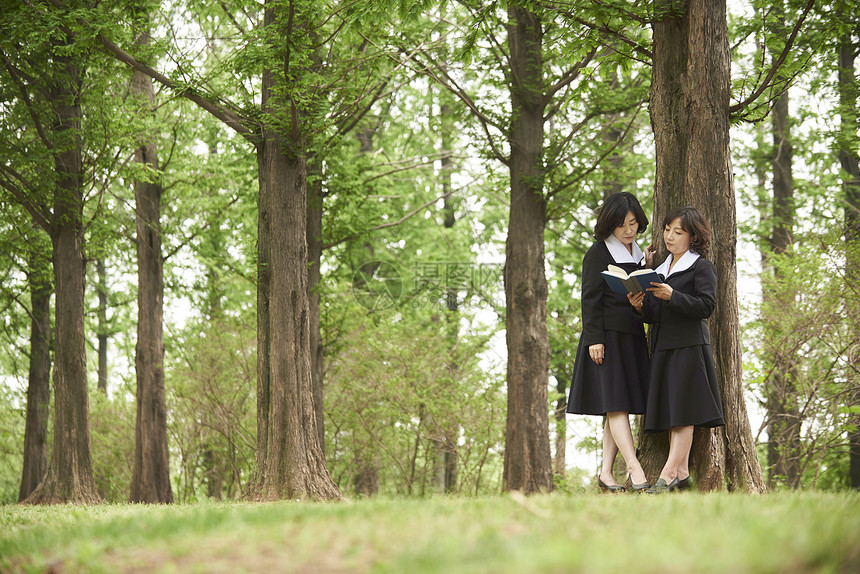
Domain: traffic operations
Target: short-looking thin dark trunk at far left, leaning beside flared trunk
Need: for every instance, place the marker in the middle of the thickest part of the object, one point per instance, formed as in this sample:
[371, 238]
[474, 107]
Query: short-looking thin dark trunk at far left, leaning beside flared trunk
[39, 376]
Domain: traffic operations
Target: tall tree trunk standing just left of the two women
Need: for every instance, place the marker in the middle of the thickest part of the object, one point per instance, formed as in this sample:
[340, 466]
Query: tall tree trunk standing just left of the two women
[528, 461]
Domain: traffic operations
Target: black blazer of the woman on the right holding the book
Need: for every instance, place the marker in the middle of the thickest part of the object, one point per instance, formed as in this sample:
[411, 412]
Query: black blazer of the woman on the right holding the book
[682, 321]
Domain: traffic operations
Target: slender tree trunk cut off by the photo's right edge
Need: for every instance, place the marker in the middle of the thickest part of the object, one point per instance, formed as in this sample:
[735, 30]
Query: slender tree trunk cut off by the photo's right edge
[848, 159]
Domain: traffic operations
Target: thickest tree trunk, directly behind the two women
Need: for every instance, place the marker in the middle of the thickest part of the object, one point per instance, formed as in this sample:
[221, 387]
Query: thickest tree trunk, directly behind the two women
[690, 119]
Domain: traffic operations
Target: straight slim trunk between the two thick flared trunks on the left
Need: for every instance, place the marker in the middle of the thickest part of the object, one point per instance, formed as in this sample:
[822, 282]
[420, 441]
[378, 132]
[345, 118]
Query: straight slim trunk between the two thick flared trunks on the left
[150, 481]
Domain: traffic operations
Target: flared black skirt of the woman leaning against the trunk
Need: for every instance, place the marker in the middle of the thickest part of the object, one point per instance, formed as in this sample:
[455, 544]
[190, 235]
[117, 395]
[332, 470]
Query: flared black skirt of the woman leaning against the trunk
[684, 390]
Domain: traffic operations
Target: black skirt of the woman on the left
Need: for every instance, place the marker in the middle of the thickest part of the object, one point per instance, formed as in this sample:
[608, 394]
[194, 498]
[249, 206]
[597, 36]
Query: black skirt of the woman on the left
[619, 384]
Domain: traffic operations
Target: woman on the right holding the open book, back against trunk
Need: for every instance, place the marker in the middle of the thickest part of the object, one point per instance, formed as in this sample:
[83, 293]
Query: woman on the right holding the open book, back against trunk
[683, 391]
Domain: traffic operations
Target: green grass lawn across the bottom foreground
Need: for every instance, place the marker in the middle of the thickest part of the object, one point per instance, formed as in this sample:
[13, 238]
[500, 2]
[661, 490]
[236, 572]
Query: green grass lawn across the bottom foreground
[678, 533]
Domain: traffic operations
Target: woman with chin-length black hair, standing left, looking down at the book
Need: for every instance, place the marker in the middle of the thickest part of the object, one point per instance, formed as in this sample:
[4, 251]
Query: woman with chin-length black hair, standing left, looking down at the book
[611, 371]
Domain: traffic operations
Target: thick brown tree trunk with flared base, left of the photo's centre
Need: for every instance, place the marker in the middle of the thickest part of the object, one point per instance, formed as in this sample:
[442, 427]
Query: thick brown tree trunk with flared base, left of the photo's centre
[290, 460]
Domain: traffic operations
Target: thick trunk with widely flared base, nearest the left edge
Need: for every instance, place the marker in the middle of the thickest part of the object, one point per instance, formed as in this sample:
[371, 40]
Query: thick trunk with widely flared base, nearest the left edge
[69, 477]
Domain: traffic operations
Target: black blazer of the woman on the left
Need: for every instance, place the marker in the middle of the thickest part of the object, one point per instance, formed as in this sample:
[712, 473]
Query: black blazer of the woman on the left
[602, 309]
